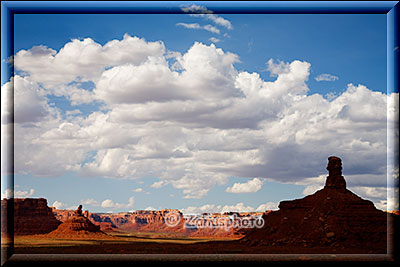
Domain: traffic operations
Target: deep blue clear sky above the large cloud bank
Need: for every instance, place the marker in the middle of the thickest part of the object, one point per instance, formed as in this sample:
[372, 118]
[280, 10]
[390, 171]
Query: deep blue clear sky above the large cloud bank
[351, 46]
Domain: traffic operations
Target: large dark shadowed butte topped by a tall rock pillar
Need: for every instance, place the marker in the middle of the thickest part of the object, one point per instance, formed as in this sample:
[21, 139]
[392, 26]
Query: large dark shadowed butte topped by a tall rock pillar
[332, 216]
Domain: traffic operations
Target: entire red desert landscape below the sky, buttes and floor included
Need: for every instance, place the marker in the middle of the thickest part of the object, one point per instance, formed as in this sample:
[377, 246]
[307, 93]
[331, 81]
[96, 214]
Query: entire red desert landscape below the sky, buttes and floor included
[333, 220]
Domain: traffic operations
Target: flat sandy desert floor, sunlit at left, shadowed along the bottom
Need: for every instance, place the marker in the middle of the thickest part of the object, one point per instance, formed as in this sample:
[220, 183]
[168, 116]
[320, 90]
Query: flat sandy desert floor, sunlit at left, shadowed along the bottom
[156, 243]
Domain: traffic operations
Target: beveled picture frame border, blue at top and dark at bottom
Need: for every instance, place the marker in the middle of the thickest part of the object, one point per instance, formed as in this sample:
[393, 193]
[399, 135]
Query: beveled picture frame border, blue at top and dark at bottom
[9, 9]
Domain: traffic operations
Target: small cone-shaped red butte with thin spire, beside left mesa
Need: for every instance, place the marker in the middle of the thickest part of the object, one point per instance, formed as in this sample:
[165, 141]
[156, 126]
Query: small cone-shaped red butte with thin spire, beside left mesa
[77, 227]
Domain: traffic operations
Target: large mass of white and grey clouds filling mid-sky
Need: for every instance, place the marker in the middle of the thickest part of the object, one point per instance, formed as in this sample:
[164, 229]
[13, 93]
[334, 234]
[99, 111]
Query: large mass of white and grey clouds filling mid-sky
[192, 124]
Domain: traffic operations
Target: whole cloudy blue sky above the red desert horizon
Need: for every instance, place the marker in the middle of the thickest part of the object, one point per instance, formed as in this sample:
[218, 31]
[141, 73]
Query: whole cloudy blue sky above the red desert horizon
[199, 111]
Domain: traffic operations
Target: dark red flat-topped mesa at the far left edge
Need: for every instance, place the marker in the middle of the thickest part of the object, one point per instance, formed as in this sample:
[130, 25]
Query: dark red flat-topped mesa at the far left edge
[31, 216]
